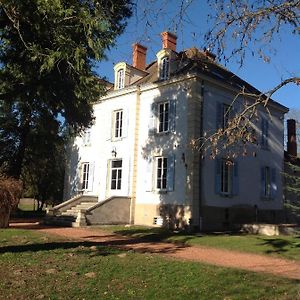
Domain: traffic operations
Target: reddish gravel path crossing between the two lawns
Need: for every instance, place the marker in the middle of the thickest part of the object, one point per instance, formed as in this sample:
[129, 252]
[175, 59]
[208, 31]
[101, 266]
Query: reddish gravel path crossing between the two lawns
[225, 258]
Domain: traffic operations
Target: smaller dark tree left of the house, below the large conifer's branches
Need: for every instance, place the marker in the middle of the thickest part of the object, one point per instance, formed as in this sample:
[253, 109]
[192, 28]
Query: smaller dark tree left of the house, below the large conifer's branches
[44, 164]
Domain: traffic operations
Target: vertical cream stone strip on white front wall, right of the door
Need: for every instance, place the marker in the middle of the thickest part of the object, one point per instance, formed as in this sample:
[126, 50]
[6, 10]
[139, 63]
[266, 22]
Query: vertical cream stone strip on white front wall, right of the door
[135, 156]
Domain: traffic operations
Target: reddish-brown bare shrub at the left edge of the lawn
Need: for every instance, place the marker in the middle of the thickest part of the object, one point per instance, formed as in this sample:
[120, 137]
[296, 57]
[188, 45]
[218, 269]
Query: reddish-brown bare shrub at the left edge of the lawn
[10, 193]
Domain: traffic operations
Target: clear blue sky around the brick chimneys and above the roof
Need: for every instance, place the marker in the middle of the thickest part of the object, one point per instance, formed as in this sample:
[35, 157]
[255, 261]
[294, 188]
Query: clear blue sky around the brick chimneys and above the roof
[190, 32]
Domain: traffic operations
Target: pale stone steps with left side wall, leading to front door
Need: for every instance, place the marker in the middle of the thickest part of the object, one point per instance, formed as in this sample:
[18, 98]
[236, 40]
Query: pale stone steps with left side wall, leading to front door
[70, 213]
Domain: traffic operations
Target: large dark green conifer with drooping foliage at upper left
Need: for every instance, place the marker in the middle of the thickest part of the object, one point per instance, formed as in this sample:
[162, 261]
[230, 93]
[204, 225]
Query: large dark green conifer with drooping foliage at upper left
[48, 51]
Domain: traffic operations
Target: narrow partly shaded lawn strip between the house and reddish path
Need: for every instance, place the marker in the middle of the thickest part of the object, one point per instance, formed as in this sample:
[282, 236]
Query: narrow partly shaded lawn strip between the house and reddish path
[279, 246]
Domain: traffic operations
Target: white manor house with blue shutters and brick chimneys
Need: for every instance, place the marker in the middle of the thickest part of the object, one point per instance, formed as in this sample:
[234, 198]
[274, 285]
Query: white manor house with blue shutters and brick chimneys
[135, 165]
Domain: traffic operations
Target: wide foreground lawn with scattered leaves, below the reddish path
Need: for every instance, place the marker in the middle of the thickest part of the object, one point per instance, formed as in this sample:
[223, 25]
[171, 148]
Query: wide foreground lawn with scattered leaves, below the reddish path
[38, 266]
